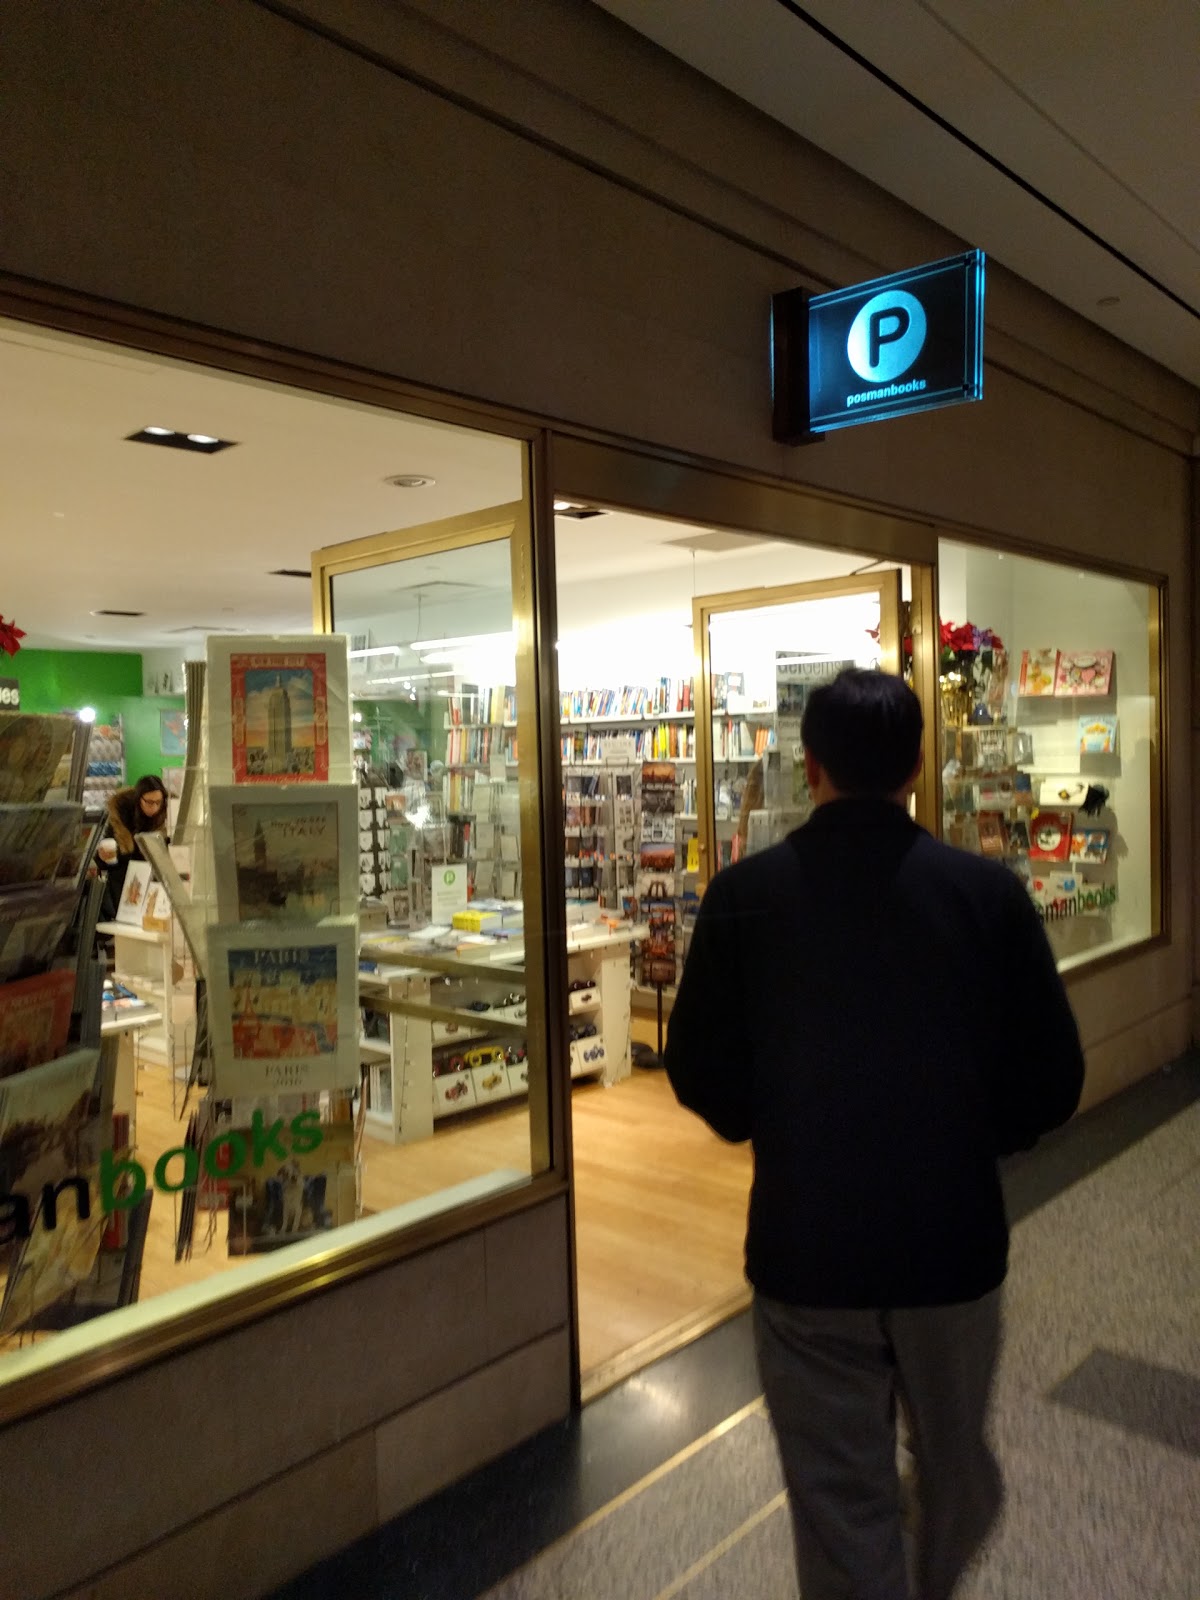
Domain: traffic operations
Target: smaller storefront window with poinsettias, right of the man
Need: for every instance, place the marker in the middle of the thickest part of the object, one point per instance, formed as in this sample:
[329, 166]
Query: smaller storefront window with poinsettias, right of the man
[1050, 740]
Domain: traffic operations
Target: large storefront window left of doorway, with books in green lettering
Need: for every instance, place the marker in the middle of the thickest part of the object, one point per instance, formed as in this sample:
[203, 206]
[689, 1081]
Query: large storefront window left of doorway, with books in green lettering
[311, 1020]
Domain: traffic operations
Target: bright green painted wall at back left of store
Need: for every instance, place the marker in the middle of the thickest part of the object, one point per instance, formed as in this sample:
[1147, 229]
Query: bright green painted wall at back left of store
[111, 682]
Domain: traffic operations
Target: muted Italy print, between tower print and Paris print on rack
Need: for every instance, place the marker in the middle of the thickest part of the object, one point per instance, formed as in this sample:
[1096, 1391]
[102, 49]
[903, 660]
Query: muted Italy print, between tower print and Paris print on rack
[286, 855]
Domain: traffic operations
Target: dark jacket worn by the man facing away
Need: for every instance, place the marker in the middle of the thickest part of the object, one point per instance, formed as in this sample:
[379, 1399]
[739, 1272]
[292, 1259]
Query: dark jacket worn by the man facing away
[882, 1018]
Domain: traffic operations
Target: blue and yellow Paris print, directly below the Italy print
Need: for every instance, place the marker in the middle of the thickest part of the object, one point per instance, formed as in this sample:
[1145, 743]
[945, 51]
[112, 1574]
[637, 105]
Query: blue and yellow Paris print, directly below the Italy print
[284, 1007]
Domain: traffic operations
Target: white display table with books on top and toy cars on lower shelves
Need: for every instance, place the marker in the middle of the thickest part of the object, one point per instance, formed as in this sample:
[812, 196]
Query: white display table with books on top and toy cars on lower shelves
[455, 1022]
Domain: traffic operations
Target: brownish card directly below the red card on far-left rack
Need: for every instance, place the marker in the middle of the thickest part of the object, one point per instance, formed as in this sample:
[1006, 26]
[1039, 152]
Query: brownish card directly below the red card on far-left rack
[46, 1122]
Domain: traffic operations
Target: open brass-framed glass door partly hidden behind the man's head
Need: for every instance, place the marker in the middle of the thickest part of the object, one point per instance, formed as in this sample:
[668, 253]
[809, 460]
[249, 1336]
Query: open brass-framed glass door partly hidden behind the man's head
[761, 654]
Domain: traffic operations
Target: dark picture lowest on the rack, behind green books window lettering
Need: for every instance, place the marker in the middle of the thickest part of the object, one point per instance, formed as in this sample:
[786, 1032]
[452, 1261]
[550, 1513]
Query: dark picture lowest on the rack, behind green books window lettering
[286, 1202]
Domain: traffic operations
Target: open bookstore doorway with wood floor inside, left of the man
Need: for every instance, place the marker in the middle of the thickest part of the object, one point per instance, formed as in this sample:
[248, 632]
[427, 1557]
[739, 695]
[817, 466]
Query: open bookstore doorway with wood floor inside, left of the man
[684, 658]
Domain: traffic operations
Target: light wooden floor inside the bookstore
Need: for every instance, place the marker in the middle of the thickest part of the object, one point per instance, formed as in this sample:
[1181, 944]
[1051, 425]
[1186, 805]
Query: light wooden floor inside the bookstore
[660, 1206]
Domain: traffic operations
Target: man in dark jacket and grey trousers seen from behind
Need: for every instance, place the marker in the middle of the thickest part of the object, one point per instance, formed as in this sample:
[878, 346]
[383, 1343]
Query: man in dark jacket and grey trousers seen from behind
[882, 1018]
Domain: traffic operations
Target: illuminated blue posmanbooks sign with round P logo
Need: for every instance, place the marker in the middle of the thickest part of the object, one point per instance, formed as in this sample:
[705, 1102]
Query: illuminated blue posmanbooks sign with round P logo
[906, 343]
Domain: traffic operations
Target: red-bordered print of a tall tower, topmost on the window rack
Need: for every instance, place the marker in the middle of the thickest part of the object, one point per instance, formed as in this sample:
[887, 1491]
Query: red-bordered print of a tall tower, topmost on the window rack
[279, 711]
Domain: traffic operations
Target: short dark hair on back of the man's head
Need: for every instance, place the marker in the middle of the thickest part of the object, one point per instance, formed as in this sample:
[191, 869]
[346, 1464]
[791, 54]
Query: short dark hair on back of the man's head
[866, 730]
